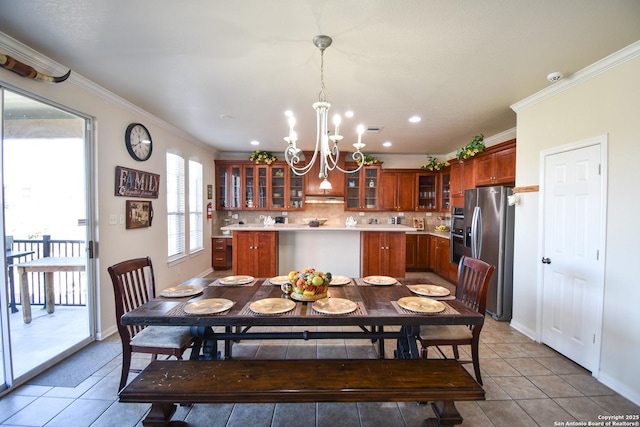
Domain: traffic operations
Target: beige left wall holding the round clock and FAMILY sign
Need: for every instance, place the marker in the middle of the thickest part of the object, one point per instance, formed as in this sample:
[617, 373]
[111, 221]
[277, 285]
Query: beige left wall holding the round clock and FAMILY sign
[111, 116]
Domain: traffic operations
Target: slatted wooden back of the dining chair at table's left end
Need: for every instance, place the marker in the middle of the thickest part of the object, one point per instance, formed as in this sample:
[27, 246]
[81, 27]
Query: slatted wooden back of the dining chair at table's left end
[133, 285]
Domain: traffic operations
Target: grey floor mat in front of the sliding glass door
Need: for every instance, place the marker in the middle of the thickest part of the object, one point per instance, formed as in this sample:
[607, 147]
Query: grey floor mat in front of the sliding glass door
[79, 366]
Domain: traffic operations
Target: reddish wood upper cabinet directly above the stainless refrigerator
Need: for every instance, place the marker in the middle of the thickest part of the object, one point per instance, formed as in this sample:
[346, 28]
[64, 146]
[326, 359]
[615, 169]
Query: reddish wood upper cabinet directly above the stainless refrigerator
[497, 166]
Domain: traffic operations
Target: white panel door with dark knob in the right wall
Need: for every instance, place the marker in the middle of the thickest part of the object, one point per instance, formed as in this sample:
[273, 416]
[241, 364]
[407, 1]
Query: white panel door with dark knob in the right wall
[572, 265]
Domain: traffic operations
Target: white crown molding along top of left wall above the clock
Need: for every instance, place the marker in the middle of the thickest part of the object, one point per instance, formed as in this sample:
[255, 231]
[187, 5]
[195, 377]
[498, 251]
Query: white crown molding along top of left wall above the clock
[24, 53]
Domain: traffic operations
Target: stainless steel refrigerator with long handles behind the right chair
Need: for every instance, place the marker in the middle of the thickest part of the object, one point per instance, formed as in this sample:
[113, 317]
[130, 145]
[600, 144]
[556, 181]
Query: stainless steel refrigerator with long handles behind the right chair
[488, 225]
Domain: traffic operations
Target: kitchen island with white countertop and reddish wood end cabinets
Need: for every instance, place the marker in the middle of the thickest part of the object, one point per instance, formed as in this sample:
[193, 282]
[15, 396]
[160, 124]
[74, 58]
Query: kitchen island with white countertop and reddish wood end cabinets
[345, 251]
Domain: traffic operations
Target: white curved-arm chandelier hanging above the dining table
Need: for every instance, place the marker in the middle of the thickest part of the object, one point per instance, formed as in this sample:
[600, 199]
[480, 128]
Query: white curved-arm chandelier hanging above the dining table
[328, 154]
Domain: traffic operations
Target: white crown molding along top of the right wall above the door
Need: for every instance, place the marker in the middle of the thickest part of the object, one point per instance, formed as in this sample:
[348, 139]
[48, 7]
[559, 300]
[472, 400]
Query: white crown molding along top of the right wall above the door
[615, 59]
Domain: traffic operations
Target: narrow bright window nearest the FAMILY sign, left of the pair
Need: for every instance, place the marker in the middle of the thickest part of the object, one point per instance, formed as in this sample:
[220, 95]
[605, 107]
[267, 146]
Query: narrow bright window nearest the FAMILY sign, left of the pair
[176, 206]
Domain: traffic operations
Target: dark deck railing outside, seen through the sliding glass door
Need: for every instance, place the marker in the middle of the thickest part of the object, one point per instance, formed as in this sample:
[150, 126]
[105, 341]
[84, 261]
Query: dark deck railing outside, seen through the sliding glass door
[70, 287]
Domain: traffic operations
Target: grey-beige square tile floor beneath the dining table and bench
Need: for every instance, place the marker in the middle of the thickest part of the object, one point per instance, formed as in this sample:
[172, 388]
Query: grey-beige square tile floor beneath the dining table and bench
[527, 384]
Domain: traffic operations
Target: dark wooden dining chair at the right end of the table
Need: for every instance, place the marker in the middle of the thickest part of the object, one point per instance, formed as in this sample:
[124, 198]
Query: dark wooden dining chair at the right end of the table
[474, 276]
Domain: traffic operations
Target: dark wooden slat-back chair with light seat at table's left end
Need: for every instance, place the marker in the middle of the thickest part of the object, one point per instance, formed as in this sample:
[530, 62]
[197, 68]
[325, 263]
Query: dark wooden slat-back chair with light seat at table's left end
[134, 285]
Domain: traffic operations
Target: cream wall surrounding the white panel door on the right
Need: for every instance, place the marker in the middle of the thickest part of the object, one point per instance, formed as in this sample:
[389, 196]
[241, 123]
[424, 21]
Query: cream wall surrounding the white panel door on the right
[606, 101]
